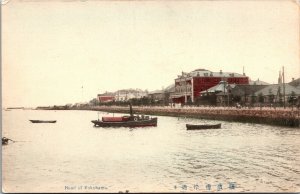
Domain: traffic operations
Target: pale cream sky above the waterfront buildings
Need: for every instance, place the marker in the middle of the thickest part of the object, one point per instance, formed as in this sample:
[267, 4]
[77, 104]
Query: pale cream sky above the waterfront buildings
[59, 52]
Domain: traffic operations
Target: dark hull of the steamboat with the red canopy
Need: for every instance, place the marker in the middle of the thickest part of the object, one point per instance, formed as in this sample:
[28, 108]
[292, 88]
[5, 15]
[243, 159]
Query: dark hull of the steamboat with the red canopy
[139, 123]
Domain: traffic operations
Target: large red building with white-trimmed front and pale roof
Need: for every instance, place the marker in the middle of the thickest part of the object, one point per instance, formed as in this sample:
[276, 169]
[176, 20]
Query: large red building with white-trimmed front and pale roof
[188, 86]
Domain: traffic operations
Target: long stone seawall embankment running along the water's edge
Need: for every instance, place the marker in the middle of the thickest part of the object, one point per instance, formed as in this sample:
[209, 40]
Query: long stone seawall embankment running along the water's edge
[278, 117]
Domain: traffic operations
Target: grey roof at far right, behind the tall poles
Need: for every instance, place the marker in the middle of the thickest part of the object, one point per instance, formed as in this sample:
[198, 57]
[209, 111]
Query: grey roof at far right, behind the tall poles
[273, 89]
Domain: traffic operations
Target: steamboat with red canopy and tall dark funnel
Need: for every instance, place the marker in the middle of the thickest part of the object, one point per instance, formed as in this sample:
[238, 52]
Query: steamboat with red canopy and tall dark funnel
[126, 121]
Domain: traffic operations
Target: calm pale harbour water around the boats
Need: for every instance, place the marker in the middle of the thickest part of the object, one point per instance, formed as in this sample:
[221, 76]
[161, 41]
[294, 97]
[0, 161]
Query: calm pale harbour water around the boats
[73, 156]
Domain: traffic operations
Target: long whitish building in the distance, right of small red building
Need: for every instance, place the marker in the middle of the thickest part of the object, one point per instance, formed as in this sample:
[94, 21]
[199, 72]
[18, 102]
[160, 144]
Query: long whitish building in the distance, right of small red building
[127, 94]
